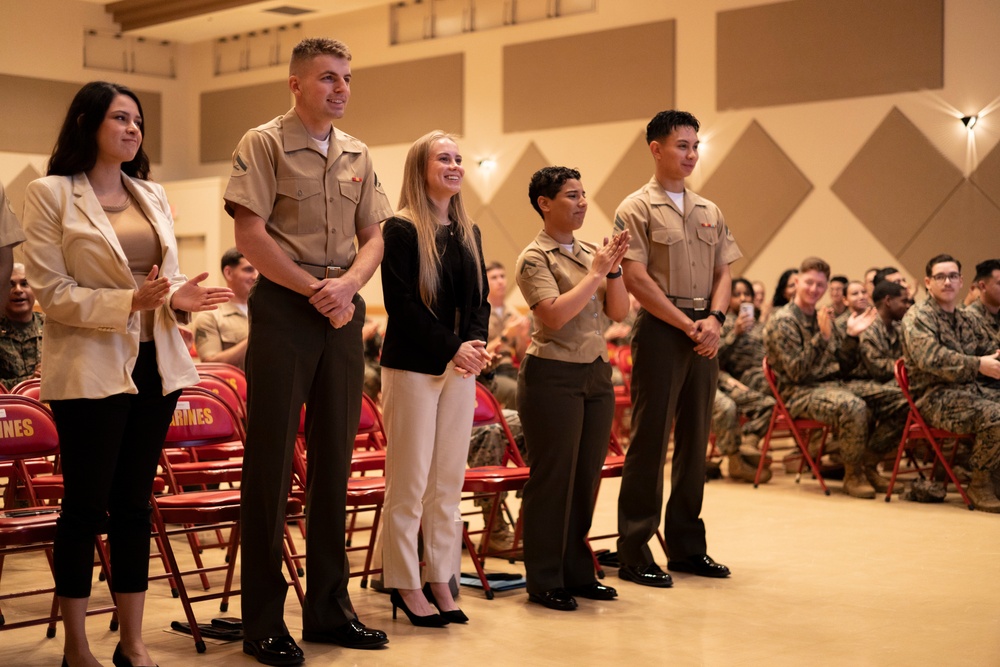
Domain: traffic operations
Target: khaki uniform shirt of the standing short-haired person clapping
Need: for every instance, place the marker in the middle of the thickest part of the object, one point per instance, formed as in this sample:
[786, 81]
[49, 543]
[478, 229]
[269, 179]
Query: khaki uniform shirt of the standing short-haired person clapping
[544, 271]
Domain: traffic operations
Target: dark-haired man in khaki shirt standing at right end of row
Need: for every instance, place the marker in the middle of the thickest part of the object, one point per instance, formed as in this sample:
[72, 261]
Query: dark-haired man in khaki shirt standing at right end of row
[678, 269]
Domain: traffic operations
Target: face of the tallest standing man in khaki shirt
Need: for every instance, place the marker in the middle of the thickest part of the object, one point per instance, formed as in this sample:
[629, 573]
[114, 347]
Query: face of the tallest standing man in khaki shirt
[322, 88]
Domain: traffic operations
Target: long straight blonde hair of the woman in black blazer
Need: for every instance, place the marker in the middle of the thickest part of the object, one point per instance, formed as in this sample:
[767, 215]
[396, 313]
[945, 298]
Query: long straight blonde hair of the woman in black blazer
[416, 206]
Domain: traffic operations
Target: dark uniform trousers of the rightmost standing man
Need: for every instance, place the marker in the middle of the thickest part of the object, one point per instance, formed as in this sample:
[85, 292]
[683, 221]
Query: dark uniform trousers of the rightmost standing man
[672, 386]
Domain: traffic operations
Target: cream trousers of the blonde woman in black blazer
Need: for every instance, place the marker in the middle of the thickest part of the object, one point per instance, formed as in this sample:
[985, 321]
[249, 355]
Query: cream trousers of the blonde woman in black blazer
[428, 423]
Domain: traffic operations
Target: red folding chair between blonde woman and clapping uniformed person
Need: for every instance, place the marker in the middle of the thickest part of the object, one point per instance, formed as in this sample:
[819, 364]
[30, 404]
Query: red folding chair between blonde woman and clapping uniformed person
[492, 481]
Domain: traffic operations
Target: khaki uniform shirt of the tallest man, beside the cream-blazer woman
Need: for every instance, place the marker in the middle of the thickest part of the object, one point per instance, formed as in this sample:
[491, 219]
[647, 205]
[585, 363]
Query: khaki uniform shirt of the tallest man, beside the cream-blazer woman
[313, 205]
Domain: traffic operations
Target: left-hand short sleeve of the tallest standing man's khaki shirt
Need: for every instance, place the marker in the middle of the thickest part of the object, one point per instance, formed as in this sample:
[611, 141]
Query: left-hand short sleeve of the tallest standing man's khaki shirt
[252, 182]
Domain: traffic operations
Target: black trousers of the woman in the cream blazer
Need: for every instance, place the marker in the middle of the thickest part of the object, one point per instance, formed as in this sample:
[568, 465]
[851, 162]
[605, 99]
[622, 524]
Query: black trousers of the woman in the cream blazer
[109, 449]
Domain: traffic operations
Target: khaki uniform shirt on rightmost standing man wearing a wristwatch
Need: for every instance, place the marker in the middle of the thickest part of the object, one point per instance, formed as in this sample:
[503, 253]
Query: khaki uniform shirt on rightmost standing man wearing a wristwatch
[680, 250]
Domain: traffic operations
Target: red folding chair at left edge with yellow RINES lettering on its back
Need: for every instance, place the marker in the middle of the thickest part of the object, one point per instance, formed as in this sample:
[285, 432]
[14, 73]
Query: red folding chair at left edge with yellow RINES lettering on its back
[28, 432]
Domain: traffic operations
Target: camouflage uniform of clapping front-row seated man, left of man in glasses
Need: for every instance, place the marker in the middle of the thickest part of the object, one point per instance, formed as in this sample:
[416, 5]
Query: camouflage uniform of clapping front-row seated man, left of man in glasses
[808, 372]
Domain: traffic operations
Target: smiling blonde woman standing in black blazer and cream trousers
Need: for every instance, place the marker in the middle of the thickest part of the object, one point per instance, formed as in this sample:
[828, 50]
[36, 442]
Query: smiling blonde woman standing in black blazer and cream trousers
[434, 285]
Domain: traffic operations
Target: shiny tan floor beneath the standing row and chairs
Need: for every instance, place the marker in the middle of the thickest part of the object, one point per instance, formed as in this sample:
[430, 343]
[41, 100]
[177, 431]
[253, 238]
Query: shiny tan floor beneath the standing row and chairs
[816, 581]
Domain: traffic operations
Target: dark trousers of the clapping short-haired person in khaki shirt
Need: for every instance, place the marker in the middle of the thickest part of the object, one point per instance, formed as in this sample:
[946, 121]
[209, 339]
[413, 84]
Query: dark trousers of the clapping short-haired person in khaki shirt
[566, 411]
